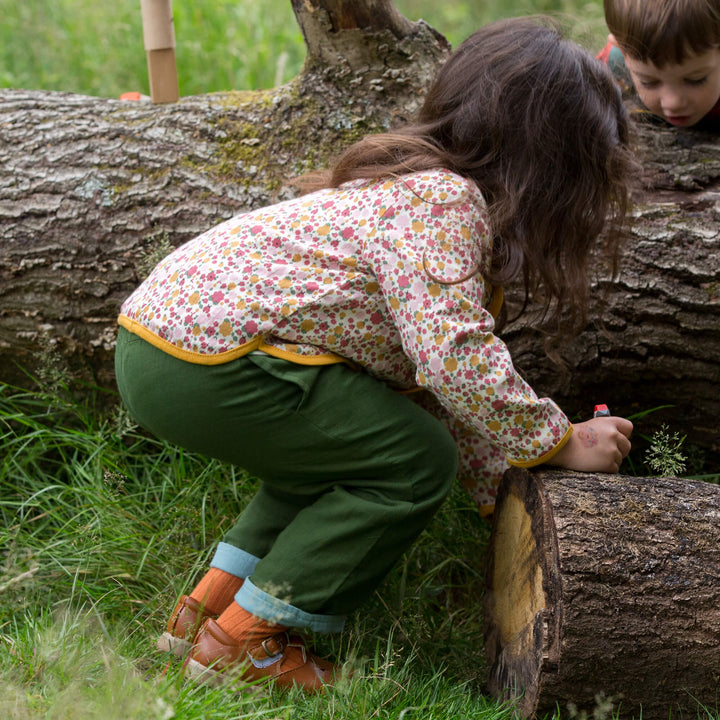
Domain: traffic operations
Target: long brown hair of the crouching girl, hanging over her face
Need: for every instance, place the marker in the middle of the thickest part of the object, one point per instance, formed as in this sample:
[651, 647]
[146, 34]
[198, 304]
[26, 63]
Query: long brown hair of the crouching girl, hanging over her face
[539, 125]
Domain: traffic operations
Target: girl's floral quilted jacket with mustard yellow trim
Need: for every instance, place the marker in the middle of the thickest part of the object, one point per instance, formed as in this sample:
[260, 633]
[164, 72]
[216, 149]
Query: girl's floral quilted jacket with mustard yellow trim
[385, 274]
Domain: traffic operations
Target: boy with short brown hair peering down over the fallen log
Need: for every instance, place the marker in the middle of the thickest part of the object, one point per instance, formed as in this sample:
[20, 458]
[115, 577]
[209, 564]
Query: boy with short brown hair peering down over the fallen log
[668, 53]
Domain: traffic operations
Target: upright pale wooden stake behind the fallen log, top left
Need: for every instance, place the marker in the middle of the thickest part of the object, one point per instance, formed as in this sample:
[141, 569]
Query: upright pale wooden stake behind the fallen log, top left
[159, 38]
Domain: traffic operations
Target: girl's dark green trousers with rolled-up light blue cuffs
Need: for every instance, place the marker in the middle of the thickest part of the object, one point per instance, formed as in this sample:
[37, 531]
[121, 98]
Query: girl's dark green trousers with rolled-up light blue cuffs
[351, 471]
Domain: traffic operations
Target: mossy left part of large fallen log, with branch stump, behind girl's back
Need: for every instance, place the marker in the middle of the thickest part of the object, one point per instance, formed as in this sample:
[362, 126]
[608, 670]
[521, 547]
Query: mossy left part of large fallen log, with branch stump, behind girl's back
[94, 191]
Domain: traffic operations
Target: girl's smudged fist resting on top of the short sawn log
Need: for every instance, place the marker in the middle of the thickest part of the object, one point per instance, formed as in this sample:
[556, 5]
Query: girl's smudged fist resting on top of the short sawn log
[597, 445]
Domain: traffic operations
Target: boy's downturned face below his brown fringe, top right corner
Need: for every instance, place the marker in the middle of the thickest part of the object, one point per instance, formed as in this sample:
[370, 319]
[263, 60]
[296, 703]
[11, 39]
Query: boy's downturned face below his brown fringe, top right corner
[681, 93]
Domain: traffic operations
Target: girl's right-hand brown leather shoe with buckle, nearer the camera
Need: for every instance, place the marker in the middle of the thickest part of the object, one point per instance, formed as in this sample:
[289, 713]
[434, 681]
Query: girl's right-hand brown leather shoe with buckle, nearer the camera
[217, 658]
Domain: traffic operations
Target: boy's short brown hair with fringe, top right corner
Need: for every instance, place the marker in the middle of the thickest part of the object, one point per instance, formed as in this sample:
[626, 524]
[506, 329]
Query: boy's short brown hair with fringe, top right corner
[664, 31]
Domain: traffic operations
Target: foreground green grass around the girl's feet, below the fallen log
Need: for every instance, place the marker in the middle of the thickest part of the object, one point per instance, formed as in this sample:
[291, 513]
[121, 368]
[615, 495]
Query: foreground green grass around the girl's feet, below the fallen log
[102, 527]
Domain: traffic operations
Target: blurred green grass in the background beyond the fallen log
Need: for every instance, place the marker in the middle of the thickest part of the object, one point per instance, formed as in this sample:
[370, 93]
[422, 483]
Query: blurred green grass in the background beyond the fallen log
[96, 48]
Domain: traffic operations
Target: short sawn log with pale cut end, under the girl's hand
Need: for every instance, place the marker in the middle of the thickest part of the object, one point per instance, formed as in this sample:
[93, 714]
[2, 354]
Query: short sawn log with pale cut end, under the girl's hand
[603, 589]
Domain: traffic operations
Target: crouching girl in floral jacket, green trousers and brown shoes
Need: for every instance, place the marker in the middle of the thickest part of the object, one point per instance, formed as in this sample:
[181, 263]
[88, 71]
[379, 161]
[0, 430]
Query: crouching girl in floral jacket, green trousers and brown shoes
[283, 339]
